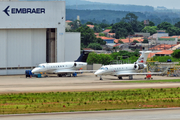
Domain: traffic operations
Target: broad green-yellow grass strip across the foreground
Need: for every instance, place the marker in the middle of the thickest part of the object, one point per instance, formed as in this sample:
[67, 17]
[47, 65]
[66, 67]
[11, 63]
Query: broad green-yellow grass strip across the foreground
[89, 101]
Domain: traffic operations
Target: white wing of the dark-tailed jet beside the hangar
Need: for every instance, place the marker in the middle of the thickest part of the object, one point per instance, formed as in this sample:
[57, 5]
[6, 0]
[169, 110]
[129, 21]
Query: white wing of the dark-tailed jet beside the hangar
[72, 71]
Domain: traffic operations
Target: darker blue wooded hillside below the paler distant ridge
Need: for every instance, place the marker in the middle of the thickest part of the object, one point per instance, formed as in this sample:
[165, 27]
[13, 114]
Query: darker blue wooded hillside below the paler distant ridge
[110, 16]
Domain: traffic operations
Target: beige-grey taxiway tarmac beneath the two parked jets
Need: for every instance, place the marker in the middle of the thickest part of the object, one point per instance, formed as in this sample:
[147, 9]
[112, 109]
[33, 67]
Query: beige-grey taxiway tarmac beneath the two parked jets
[84, 82]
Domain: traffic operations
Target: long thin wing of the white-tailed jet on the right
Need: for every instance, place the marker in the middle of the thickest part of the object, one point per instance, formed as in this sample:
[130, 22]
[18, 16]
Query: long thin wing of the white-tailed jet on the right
[152, 73]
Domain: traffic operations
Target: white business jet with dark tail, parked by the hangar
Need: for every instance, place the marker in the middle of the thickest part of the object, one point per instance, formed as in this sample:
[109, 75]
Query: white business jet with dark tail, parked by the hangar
[63, 68]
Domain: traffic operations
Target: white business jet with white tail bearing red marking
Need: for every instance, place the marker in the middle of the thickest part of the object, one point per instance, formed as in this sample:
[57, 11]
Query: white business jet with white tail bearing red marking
[125, 70]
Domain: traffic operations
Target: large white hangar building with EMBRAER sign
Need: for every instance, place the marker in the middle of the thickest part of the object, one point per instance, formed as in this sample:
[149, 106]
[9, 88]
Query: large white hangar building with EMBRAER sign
[32, 33]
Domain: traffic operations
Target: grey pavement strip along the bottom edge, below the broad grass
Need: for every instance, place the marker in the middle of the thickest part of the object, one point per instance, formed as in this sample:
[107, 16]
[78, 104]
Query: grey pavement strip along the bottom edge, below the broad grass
[154, 114]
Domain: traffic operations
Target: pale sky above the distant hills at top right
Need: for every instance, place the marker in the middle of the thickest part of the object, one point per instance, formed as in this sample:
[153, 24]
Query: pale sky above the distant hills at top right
[170, 4]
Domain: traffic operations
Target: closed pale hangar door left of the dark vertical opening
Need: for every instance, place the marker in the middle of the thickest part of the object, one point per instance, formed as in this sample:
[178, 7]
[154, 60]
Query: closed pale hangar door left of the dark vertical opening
[21, 48]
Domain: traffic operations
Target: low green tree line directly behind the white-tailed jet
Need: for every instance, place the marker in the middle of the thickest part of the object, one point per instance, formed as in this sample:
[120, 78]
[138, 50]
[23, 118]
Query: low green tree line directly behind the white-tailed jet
[128, 57]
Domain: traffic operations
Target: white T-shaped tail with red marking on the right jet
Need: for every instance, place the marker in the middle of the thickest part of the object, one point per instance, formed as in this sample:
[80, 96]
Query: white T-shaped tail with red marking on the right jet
[143, 58]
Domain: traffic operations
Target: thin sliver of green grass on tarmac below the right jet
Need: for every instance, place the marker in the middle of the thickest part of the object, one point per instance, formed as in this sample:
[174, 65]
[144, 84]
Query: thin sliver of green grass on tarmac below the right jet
[149, 81]
